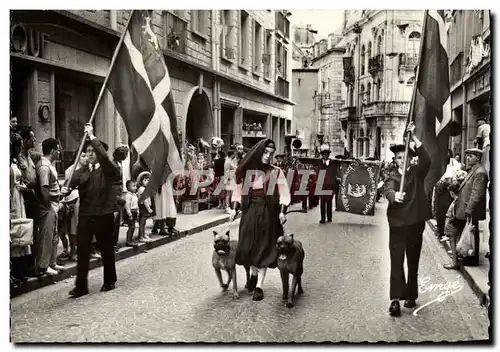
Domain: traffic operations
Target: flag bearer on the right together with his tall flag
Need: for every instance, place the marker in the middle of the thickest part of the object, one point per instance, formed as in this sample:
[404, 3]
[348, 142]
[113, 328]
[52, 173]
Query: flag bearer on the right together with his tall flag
[408, 189]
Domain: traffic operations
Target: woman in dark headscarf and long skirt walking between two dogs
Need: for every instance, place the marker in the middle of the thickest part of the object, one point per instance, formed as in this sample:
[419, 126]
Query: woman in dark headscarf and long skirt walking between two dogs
[263, 212]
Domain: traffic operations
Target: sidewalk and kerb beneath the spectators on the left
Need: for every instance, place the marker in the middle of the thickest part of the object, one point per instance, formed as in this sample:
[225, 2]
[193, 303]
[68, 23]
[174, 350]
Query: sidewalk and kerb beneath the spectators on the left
[187, 224]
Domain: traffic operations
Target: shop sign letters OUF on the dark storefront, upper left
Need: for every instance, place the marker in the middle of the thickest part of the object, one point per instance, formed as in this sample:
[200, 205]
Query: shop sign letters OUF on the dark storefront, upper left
[27, 41]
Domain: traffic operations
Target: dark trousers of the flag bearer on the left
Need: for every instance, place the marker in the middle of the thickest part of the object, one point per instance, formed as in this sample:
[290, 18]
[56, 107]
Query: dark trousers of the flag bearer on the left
[100, 226]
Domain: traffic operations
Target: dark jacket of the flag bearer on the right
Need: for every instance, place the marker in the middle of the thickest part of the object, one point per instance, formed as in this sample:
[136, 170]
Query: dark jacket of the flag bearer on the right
[416, 207]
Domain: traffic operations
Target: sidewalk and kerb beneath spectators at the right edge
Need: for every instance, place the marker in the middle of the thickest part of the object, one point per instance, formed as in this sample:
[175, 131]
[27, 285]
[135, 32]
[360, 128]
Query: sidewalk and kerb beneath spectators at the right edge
[476, 276]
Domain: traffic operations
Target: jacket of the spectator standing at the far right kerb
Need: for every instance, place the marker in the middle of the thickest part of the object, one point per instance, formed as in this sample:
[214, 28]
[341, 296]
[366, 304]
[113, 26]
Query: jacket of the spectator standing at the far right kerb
[472, 195]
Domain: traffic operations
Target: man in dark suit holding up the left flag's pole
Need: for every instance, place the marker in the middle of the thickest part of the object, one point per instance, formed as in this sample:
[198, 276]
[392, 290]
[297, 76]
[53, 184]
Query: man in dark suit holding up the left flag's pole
[97, 205]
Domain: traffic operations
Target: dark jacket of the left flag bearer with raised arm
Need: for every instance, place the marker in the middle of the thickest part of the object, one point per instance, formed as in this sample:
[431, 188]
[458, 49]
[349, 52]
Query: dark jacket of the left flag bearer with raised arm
[97, 194]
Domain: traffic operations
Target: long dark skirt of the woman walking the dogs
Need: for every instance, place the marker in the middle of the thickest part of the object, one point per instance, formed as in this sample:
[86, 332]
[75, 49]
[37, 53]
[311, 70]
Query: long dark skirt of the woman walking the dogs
[259, 231]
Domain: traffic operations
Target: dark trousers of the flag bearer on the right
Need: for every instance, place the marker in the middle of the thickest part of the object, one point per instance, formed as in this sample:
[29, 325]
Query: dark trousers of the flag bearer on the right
[405, 239]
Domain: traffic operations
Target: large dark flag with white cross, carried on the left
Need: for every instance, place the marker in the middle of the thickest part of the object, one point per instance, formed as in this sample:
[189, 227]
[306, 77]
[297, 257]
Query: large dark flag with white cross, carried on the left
[140, 85]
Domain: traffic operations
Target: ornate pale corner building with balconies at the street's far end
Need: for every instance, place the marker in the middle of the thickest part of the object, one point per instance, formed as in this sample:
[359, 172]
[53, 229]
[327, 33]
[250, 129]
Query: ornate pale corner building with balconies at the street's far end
[379, 73]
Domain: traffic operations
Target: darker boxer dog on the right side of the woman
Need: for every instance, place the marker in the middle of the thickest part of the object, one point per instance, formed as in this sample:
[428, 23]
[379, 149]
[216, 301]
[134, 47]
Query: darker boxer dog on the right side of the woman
[290, 261]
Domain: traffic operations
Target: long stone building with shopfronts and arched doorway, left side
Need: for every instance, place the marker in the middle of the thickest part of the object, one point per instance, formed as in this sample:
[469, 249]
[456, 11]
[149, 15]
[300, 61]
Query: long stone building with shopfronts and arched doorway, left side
[228, 69]
